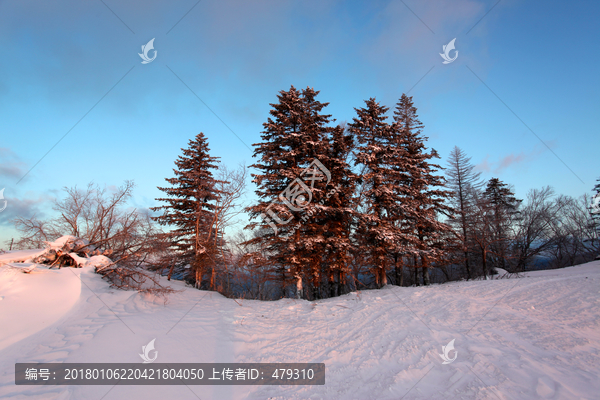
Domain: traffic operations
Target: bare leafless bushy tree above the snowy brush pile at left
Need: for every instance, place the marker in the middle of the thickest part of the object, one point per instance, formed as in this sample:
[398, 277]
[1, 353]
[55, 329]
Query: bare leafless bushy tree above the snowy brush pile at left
[101, 216]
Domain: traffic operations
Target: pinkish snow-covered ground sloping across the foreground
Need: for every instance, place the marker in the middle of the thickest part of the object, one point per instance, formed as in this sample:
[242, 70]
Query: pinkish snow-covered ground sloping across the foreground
[530, 338]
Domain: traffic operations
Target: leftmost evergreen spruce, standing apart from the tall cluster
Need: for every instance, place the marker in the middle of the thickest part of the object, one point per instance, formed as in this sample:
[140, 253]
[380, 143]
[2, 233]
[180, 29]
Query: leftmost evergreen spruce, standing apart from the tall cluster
[189, 209]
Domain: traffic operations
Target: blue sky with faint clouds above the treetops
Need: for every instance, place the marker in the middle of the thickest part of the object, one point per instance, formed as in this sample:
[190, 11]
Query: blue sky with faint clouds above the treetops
[523, 69]
